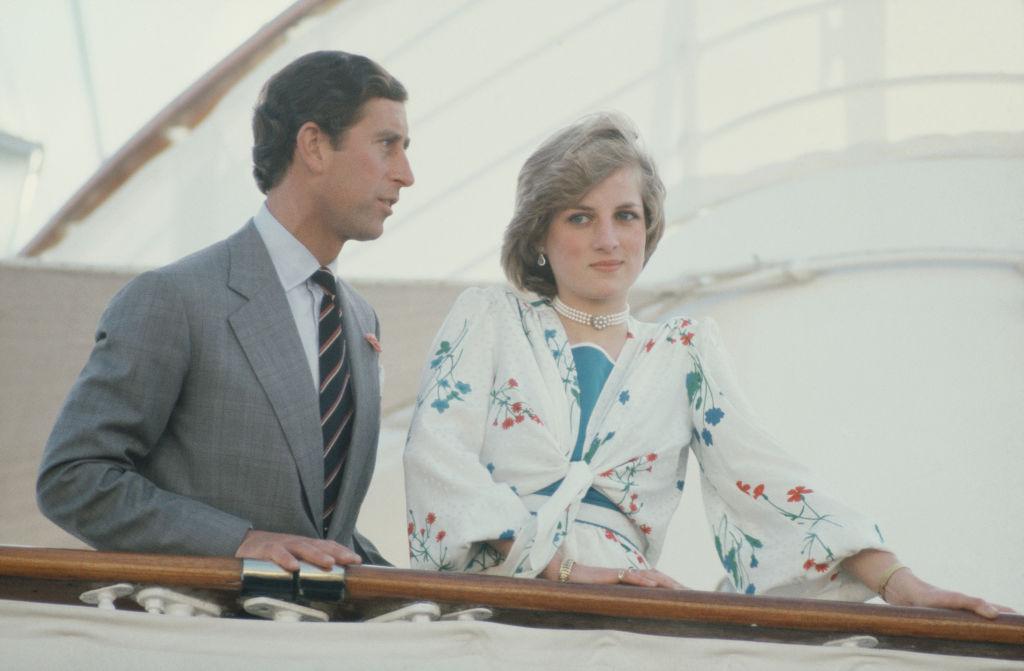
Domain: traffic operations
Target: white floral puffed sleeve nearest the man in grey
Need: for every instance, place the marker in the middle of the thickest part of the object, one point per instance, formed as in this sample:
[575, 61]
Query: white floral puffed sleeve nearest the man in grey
[455, 506]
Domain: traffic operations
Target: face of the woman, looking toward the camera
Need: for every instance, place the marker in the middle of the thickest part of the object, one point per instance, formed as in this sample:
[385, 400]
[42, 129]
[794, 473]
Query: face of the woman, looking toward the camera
[596, 248]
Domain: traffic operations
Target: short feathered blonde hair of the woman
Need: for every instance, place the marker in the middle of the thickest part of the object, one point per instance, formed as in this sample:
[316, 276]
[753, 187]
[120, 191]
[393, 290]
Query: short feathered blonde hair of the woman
[558, 177]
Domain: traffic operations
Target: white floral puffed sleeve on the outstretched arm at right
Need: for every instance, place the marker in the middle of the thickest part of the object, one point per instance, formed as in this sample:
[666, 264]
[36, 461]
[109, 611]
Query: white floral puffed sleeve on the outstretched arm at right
[777, 528]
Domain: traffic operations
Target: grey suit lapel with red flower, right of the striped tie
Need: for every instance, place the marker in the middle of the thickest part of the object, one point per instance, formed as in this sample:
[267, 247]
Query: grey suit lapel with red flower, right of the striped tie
[363, 362]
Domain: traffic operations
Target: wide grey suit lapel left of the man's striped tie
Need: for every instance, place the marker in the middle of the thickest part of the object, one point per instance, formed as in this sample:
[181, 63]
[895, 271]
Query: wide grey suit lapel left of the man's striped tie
[267, 332]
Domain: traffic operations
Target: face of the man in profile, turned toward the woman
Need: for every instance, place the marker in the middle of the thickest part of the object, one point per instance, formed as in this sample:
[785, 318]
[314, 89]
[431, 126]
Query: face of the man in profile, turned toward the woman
[363, 177]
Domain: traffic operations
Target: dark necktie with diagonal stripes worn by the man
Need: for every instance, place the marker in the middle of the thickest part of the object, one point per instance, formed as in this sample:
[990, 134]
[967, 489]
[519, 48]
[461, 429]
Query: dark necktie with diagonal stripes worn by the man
[337, 403]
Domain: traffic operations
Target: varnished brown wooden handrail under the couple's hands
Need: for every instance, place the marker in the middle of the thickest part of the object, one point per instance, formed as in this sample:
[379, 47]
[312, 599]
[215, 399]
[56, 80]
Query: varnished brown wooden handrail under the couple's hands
[54, 575]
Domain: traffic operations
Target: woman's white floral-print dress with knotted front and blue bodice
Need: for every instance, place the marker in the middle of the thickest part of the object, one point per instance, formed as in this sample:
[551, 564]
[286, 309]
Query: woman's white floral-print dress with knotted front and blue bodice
[496, 451]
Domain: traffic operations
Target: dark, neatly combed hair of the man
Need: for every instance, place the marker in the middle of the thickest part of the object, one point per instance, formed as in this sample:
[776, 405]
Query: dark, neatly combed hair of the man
[326, 88]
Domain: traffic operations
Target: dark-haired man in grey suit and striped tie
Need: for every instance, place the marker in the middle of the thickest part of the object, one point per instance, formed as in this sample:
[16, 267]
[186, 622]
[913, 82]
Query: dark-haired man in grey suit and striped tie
[196, 426]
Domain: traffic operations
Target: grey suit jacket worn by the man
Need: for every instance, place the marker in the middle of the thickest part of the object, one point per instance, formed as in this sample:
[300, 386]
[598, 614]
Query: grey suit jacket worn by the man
[196, 418]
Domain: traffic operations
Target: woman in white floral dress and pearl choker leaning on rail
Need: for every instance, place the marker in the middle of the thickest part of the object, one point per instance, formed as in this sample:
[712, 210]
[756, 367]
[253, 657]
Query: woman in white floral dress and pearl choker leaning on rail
[552, 430]
